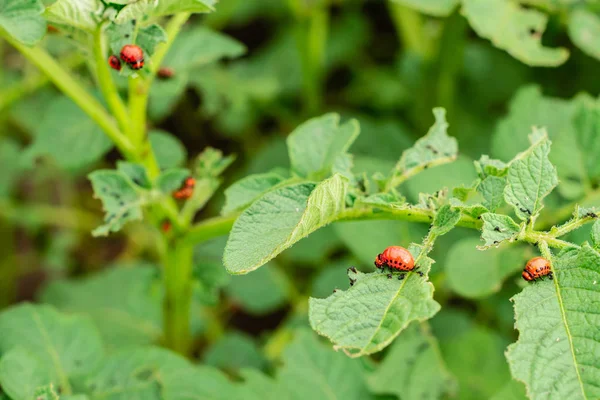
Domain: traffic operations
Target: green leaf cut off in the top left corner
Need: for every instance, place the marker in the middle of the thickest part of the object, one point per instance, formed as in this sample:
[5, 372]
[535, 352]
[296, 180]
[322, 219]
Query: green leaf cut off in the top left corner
[22, 20]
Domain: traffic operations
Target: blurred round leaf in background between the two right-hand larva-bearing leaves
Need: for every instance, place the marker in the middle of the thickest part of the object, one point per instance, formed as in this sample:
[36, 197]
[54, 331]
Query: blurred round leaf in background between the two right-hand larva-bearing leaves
[474, 274]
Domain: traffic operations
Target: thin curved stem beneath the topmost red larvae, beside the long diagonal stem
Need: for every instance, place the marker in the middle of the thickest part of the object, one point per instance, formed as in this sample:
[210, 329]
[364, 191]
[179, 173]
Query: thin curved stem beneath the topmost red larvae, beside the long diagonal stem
[106, 83]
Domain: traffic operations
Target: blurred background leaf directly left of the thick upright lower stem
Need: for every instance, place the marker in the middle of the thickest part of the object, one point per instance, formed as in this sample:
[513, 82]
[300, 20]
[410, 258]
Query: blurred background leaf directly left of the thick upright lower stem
[131, 315]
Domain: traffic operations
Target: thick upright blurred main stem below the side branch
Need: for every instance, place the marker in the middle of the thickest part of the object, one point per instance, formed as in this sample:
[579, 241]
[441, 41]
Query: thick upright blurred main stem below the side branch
[178, 266]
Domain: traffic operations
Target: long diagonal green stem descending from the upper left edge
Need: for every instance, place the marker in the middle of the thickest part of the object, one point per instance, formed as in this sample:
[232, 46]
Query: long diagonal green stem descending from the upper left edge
[69, 86]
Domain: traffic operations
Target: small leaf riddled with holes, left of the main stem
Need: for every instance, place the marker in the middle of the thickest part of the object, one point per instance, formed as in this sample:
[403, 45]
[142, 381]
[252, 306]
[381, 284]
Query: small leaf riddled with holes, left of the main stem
[121, 201]
